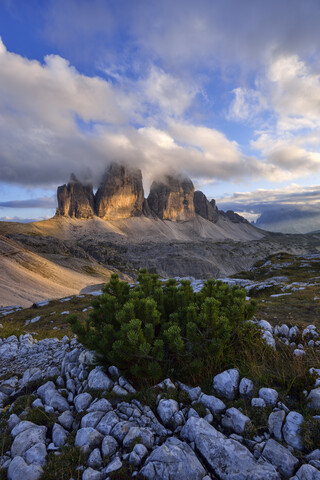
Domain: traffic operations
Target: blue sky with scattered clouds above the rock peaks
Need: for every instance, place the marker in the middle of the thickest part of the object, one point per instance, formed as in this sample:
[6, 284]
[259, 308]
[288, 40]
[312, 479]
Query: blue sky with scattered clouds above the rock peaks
[226, 91]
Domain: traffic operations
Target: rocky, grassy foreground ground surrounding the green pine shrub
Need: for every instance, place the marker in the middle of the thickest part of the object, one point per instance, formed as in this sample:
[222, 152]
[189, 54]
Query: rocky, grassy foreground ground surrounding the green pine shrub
[63, 417]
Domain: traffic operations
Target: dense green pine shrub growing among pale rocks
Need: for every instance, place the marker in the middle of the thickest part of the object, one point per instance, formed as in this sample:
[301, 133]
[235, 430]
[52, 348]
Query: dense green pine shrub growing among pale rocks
[154, 330]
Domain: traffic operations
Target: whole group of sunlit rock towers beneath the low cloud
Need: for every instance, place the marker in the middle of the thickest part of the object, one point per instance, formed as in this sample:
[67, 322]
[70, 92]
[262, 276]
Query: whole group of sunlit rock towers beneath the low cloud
[121, 195]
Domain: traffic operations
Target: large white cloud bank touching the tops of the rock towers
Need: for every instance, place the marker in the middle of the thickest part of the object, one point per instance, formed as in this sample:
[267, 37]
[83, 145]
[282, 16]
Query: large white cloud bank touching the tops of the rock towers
[54, 120]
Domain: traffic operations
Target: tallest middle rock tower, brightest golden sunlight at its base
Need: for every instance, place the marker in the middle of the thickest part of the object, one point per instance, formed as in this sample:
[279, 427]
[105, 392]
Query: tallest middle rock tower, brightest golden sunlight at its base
[120, 194]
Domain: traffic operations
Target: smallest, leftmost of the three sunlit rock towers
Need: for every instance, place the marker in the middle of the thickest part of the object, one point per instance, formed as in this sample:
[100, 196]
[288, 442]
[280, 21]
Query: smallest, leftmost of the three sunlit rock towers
[75, 199]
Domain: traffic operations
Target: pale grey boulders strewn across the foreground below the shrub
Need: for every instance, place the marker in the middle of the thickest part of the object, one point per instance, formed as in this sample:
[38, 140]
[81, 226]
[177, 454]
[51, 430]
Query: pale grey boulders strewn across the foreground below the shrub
[172, 441]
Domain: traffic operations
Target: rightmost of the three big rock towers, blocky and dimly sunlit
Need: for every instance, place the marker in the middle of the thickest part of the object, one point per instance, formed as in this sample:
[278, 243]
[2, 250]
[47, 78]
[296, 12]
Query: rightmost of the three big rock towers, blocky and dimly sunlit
[172, 198]
